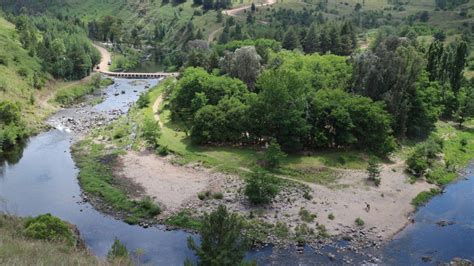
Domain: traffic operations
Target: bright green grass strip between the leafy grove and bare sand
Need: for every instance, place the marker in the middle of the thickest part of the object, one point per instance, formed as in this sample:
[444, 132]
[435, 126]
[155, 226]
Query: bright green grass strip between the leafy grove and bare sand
[241, 159]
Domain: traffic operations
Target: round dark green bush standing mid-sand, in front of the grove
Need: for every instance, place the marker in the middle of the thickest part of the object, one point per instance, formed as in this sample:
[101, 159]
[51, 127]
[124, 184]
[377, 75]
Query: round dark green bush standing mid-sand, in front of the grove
[261, 188]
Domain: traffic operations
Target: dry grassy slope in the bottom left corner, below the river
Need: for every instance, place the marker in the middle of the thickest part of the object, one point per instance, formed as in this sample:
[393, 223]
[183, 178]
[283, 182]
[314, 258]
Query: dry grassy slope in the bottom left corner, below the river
[17, 249]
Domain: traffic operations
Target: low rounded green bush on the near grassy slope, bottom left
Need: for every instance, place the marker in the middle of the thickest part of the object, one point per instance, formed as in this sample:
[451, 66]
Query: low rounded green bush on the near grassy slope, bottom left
[50, 228]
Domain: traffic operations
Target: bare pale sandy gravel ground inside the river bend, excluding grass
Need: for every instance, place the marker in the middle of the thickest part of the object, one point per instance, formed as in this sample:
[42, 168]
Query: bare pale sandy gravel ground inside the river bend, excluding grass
[176, 187]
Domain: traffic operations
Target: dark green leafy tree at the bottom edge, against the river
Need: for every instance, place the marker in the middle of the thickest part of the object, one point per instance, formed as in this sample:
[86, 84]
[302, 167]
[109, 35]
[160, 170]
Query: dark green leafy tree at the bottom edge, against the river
[222, 241]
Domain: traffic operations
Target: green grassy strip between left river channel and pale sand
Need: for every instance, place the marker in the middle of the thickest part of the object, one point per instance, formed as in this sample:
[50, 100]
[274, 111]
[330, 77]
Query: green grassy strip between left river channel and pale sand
[96, 178]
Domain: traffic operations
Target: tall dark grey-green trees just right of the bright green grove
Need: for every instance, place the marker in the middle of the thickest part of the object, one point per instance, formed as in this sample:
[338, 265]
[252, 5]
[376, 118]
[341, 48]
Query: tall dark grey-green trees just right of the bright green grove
[393, 72]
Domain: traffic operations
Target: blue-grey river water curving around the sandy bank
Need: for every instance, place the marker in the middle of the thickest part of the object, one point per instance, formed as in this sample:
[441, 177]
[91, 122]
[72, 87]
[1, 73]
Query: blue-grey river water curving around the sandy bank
[42, 178]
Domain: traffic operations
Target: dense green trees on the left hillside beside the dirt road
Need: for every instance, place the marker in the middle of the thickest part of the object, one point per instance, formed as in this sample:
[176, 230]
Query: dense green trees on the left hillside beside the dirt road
[62, 46]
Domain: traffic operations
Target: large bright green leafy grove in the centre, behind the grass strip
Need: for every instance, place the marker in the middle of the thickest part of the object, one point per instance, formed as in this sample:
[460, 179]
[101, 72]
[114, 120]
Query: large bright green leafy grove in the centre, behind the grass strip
[313, 110]
